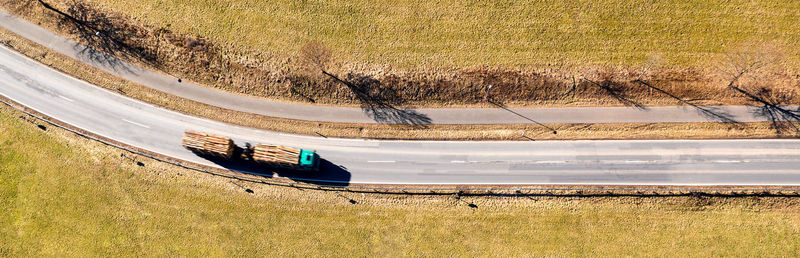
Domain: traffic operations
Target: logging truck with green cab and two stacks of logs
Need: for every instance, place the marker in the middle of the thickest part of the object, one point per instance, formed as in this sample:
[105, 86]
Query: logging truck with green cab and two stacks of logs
[265, 154]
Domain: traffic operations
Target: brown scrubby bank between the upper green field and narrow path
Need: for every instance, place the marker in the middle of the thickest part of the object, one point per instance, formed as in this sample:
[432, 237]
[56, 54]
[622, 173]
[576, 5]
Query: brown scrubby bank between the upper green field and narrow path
[221, 64]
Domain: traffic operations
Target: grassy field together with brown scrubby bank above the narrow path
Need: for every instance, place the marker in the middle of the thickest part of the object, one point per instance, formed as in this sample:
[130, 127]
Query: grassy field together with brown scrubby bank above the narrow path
[591, 55]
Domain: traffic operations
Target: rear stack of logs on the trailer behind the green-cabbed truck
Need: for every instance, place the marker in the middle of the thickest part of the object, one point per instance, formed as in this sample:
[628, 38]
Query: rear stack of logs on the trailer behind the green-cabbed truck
[208, 144]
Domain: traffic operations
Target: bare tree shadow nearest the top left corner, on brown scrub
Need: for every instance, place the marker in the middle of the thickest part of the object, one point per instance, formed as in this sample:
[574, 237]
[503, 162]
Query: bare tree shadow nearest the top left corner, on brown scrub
[104, 35]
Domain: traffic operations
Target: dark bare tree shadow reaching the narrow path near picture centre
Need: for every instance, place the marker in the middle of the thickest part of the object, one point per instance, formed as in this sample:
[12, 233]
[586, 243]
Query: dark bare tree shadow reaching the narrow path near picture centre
[380, 103]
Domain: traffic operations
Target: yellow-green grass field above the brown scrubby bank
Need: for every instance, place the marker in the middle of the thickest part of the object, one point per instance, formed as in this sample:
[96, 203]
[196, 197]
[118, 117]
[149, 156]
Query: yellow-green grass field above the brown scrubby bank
[473, 33]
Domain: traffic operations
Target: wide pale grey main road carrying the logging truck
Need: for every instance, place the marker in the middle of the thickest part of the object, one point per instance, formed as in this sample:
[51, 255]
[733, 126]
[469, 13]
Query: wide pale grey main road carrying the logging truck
[679, 162]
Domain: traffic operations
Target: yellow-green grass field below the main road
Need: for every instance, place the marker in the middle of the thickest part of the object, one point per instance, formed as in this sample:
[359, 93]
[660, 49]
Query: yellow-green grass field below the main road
[65, 196]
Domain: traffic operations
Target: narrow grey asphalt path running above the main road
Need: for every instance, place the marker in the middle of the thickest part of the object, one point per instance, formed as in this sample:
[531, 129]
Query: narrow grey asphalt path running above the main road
[189, 90]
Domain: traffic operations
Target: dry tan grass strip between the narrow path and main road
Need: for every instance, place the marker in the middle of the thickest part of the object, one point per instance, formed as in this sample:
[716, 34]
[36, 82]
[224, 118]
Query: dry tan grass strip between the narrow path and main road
[431, 132]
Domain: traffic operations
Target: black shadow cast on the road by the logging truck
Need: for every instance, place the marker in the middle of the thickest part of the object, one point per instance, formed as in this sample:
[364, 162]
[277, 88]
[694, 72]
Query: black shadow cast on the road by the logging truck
[329, 174]
